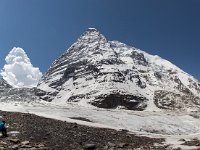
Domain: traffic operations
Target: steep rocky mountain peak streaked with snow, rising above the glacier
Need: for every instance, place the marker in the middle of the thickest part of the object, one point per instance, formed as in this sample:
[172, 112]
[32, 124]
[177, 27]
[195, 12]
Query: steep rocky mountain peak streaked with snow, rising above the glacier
[110, 74]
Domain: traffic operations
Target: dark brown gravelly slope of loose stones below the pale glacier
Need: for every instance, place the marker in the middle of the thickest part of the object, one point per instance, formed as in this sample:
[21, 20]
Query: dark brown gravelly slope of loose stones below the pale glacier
[28, 131]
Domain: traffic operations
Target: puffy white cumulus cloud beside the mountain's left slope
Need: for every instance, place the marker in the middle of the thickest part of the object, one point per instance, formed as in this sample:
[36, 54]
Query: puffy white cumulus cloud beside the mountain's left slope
[18, 70]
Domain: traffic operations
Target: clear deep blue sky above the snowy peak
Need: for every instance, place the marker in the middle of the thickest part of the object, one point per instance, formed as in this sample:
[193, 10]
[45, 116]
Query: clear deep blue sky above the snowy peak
[45, 29]
